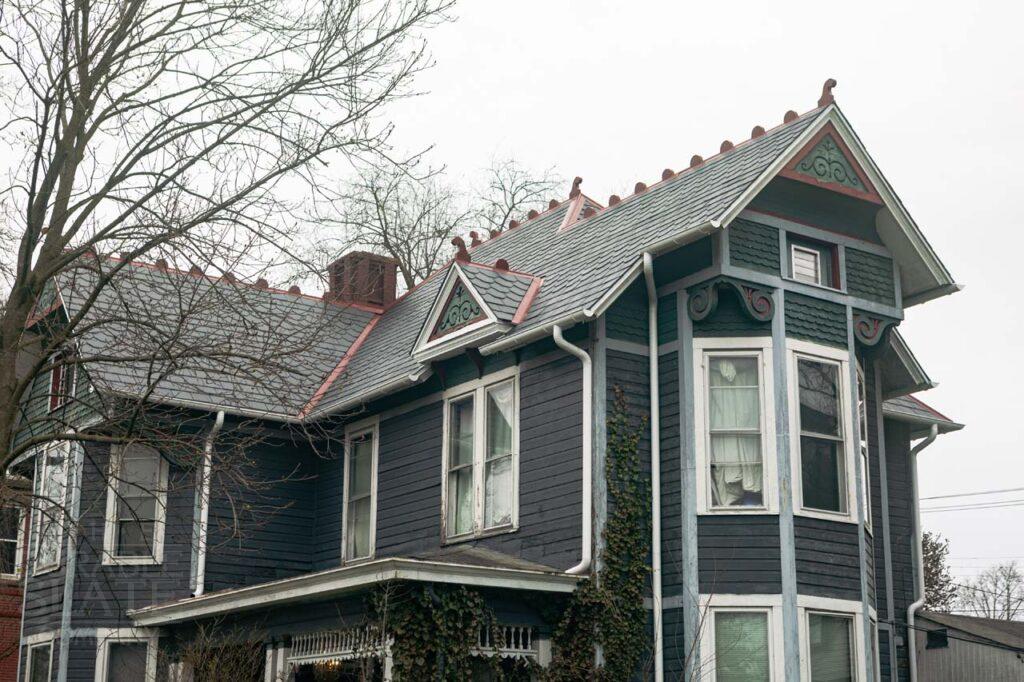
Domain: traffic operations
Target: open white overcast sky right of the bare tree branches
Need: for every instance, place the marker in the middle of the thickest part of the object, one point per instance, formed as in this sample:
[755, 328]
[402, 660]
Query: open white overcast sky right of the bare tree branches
[617, 92]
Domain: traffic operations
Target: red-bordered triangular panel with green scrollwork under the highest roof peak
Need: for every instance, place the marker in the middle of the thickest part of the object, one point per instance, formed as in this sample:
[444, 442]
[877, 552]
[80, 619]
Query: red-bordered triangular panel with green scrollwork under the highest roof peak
[827, 162]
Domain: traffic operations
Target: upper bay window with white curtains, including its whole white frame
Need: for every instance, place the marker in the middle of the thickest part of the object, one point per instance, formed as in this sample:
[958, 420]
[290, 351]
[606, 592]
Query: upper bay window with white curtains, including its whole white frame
[736, 442]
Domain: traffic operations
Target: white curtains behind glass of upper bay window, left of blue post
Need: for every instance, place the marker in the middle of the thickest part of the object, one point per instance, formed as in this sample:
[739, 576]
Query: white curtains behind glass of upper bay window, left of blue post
[736, 424]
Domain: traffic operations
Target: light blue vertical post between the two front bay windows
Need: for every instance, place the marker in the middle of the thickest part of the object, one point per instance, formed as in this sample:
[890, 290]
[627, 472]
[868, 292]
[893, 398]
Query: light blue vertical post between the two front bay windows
[784, 464]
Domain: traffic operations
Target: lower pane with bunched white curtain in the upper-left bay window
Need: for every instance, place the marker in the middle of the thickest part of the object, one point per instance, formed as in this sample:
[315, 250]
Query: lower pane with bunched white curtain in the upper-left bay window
[737, 472]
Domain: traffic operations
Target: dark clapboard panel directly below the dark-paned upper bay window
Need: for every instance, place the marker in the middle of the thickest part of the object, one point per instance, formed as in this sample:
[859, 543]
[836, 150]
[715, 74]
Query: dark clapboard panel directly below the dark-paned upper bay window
[828, 559]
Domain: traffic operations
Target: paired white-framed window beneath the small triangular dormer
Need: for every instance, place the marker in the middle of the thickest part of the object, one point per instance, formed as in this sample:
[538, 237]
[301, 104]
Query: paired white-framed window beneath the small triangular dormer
[482, 458]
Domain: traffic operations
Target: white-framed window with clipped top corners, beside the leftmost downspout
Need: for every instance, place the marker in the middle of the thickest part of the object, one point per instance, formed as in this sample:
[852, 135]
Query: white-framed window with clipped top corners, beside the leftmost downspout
[137, 506]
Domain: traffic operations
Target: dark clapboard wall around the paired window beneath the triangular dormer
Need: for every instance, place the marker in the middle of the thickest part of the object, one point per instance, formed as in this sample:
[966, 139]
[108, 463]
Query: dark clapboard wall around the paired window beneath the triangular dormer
[409, 493]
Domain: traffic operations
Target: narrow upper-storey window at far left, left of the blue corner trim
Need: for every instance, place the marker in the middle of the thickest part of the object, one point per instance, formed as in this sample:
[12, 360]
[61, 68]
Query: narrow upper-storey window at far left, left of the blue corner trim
[51, 489]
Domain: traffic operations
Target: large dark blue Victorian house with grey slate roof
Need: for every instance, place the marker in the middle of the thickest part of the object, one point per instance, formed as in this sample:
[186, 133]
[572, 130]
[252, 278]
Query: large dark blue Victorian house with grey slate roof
[742, 312]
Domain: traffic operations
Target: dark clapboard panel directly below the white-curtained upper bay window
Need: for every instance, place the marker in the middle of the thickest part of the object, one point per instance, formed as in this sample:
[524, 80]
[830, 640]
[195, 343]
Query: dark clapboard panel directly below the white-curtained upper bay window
[740, 555]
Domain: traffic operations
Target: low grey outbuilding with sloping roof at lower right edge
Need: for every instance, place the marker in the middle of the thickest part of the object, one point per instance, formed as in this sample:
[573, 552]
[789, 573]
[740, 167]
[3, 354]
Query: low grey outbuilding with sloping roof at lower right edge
[955, 649]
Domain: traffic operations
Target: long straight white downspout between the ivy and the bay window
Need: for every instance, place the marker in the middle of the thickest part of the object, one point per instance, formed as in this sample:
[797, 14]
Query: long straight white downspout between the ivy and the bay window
[656, 467]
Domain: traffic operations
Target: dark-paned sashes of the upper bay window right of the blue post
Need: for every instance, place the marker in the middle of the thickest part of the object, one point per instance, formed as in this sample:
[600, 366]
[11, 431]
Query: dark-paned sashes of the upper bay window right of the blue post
[823, 463]
